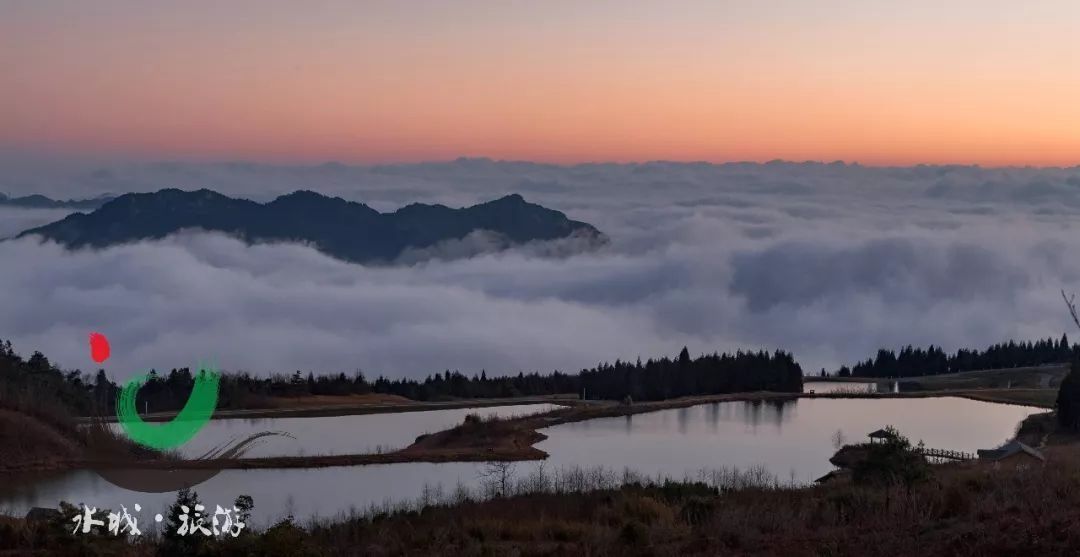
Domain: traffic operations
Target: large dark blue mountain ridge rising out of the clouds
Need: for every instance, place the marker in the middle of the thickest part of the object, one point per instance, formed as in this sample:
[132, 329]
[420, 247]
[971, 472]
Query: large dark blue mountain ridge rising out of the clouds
[343, 229]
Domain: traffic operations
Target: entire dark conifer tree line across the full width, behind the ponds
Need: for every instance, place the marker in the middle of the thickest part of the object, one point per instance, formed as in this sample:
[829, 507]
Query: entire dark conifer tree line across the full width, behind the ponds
[36, 381]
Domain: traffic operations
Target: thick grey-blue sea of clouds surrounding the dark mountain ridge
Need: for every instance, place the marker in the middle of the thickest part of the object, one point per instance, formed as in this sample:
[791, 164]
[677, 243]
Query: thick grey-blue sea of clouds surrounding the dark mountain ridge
[831, 262]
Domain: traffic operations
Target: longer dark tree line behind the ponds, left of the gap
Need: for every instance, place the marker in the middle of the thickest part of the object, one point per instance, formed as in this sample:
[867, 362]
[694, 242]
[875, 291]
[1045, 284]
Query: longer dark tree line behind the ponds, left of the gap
[655, 379]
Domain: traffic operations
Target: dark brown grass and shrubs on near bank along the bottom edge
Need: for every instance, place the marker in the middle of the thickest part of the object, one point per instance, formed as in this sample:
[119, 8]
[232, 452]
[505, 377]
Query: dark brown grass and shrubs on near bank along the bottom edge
[958, 510]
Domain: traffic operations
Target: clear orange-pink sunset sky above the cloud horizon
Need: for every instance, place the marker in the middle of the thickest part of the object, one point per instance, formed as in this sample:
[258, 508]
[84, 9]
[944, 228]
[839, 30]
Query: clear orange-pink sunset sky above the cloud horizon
[990, 83]
